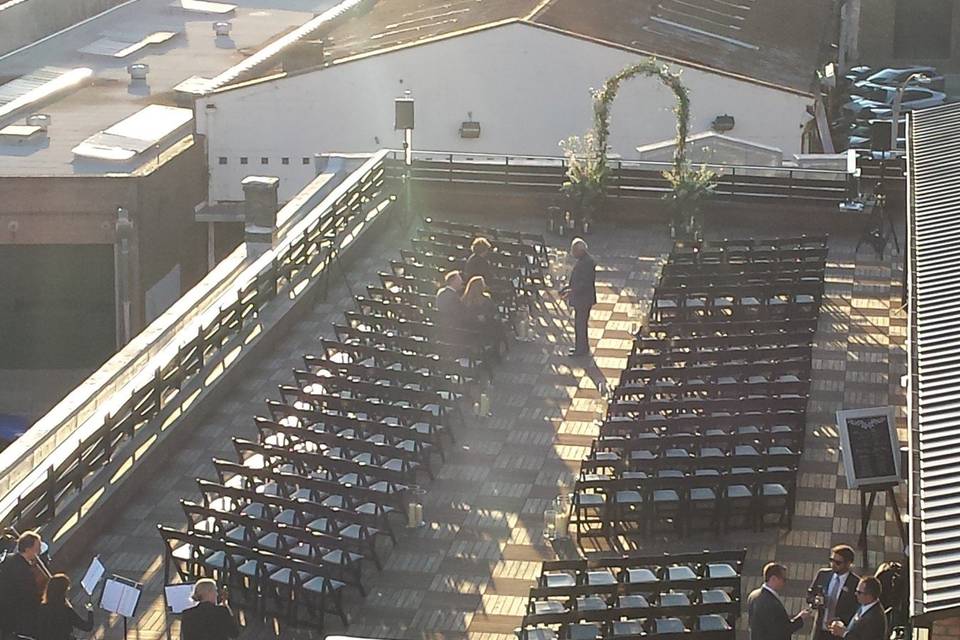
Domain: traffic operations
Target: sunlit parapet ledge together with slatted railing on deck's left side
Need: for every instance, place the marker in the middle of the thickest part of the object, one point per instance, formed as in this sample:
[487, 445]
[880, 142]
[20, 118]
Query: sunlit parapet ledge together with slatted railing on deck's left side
[133, 399]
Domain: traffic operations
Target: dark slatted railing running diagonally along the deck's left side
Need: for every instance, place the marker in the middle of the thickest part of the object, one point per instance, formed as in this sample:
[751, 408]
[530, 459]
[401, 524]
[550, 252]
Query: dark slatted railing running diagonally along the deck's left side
[305, 253]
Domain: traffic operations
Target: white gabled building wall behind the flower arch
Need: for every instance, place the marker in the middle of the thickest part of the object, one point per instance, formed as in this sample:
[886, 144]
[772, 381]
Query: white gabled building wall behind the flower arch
[528, 88]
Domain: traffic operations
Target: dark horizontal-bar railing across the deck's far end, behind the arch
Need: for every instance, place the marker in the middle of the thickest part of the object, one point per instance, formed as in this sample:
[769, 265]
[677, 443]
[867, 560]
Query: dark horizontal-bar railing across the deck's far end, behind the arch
[628, 178]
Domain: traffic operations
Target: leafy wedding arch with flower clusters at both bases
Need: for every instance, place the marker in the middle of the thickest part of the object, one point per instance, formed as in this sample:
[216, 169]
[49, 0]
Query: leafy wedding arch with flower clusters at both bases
[587, 171]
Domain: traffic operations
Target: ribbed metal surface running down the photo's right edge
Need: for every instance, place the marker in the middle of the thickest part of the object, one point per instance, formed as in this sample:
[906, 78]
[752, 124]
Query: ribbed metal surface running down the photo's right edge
[934, 393]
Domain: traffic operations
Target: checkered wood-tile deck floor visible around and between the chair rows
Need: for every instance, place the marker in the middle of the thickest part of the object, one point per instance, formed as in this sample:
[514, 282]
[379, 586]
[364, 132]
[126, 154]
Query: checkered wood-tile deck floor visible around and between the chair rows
[467, 574]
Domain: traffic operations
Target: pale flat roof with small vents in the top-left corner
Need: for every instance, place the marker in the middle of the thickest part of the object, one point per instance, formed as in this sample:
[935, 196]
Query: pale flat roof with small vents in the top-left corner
[193, 50]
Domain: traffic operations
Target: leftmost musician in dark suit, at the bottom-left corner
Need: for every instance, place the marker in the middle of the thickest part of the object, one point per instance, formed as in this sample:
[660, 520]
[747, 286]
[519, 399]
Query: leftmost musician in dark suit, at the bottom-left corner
[22, 583]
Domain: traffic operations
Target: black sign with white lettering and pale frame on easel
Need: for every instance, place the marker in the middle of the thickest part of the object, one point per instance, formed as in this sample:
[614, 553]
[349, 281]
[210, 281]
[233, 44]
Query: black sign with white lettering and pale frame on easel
[870, 447]
